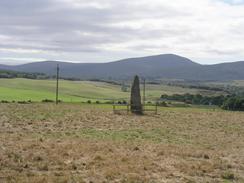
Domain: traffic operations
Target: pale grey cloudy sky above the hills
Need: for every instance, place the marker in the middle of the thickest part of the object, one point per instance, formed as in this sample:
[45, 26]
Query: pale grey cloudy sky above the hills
[206, 31]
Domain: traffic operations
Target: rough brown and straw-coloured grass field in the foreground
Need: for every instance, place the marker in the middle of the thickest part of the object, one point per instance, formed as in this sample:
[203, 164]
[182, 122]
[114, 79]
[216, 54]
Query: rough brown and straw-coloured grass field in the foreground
[74, 143]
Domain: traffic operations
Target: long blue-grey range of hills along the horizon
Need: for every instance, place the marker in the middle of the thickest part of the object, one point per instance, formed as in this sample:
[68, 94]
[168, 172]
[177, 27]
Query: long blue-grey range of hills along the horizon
[166, 66]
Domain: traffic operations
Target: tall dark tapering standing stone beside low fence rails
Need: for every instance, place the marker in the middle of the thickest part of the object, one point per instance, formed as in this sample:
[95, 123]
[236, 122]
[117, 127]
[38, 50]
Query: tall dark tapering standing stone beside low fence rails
[135, 100]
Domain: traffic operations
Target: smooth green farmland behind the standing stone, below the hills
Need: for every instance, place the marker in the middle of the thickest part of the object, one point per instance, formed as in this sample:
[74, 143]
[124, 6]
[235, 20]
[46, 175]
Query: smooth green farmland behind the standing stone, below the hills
[76, 91]
